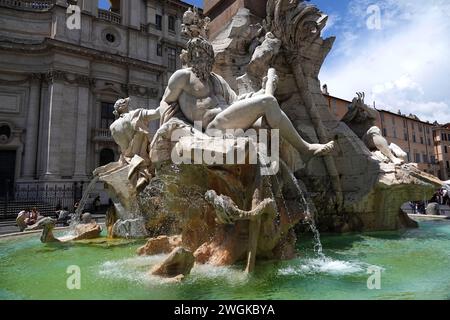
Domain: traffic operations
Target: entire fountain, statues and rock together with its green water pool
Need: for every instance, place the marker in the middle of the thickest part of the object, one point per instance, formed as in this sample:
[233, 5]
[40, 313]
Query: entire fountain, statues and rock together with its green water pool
[198, 218]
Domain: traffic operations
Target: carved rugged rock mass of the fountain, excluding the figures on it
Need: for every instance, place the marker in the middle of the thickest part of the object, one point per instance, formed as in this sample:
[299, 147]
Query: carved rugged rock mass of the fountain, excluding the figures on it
[230, 213]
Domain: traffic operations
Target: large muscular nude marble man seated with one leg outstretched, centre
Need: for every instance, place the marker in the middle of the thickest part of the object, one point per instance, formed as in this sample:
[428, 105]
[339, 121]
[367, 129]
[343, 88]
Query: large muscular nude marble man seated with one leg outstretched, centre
[206, 97]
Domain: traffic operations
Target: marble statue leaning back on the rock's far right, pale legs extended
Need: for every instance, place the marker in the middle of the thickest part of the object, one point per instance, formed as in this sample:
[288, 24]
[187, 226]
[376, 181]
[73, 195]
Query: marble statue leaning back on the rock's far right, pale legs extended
[362, 119]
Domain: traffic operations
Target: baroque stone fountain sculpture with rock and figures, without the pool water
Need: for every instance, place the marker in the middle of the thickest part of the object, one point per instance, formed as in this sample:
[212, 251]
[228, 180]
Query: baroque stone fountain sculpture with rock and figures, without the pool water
[205, 187]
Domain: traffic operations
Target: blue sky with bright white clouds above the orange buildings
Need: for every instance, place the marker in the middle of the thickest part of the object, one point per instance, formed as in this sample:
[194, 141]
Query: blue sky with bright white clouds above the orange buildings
[402, 66]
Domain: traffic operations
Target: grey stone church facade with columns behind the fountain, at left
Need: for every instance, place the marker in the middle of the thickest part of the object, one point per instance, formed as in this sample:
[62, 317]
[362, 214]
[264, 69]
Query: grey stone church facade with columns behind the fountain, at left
[58, 82]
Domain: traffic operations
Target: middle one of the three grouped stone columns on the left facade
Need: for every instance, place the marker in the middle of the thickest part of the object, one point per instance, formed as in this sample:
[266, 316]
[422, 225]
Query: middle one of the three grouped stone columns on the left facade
[56, 100]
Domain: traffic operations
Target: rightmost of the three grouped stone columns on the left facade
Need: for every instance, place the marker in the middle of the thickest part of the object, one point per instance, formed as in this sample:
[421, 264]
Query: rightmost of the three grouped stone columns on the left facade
[82, 133]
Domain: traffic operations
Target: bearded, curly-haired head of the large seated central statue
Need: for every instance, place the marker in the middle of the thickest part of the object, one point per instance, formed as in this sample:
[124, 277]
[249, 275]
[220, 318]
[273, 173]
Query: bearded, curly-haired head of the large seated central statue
[200, 57]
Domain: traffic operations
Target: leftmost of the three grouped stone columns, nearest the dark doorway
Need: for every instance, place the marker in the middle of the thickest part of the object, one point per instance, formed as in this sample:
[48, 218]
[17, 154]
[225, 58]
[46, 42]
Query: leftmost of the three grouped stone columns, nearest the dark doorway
[31, 142]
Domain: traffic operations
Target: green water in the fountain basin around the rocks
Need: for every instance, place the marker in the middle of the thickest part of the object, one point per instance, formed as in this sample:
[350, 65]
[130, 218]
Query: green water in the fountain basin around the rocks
[415, 264]
